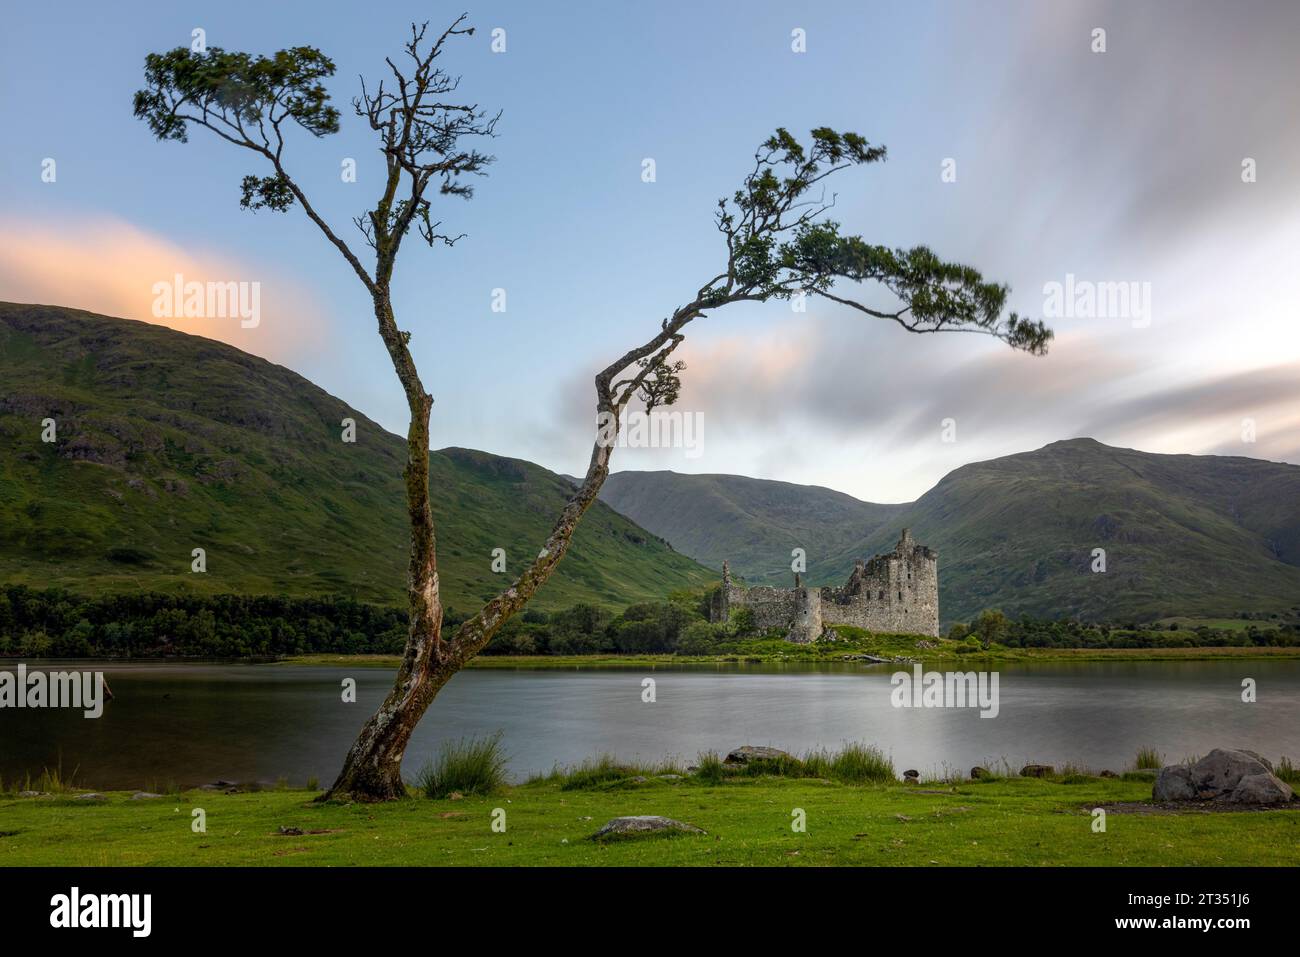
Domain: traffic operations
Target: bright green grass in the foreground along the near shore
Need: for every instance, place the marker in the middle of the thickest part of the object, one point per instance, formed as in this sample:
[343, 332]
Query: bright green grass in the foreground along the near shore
[748, 822]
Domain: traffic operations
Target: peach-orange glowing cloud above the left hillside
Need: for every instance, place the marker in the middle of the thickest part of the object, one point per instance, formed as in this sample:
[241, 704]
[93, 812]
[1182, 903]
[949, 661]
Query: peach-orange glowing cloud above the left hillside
[110, 267]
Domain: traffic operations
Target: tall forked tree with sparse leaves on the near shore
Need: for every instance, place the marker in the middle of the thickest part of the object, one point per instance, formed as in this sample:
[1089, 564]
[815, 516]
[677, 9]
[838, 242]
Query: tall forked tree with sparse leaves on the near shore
[778, 244]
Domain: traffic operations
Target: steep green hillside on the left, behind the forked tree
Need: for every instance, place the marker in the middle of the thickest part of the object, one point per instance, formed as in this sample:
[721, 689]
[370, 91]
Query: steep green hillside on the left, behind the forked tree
[168, 443]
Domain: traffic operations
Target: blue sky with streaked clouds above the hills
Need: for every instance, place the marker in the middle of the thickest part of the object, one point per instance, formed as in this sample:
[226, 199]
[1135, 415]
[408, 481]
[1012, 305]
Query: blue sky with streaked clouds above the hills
[1169, 161]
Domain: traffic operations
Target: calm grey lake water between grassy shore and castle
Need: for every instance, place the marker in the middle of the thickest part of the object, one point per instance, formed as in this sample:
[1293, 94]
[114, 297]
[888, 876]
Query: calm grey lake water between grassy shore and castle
[198, 724]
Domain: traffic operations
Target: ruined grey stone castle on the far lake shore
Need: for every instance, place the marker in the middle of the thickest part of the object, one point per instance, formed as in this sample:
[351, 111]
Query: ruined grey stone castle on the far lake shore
[894, 594]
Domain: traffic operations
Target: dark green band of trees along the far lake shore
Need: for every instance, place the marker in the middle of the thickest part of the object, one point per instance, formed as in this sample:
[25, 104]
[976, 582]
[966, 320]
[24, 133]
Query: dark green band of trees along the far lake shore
[59, 625]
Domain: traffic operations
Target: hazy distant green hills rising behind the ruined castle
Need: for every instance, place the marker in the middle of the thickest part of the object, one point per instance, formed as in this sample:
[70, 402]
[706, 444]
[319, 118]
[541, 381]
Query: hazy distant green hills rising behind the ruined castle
[1185, 535]
